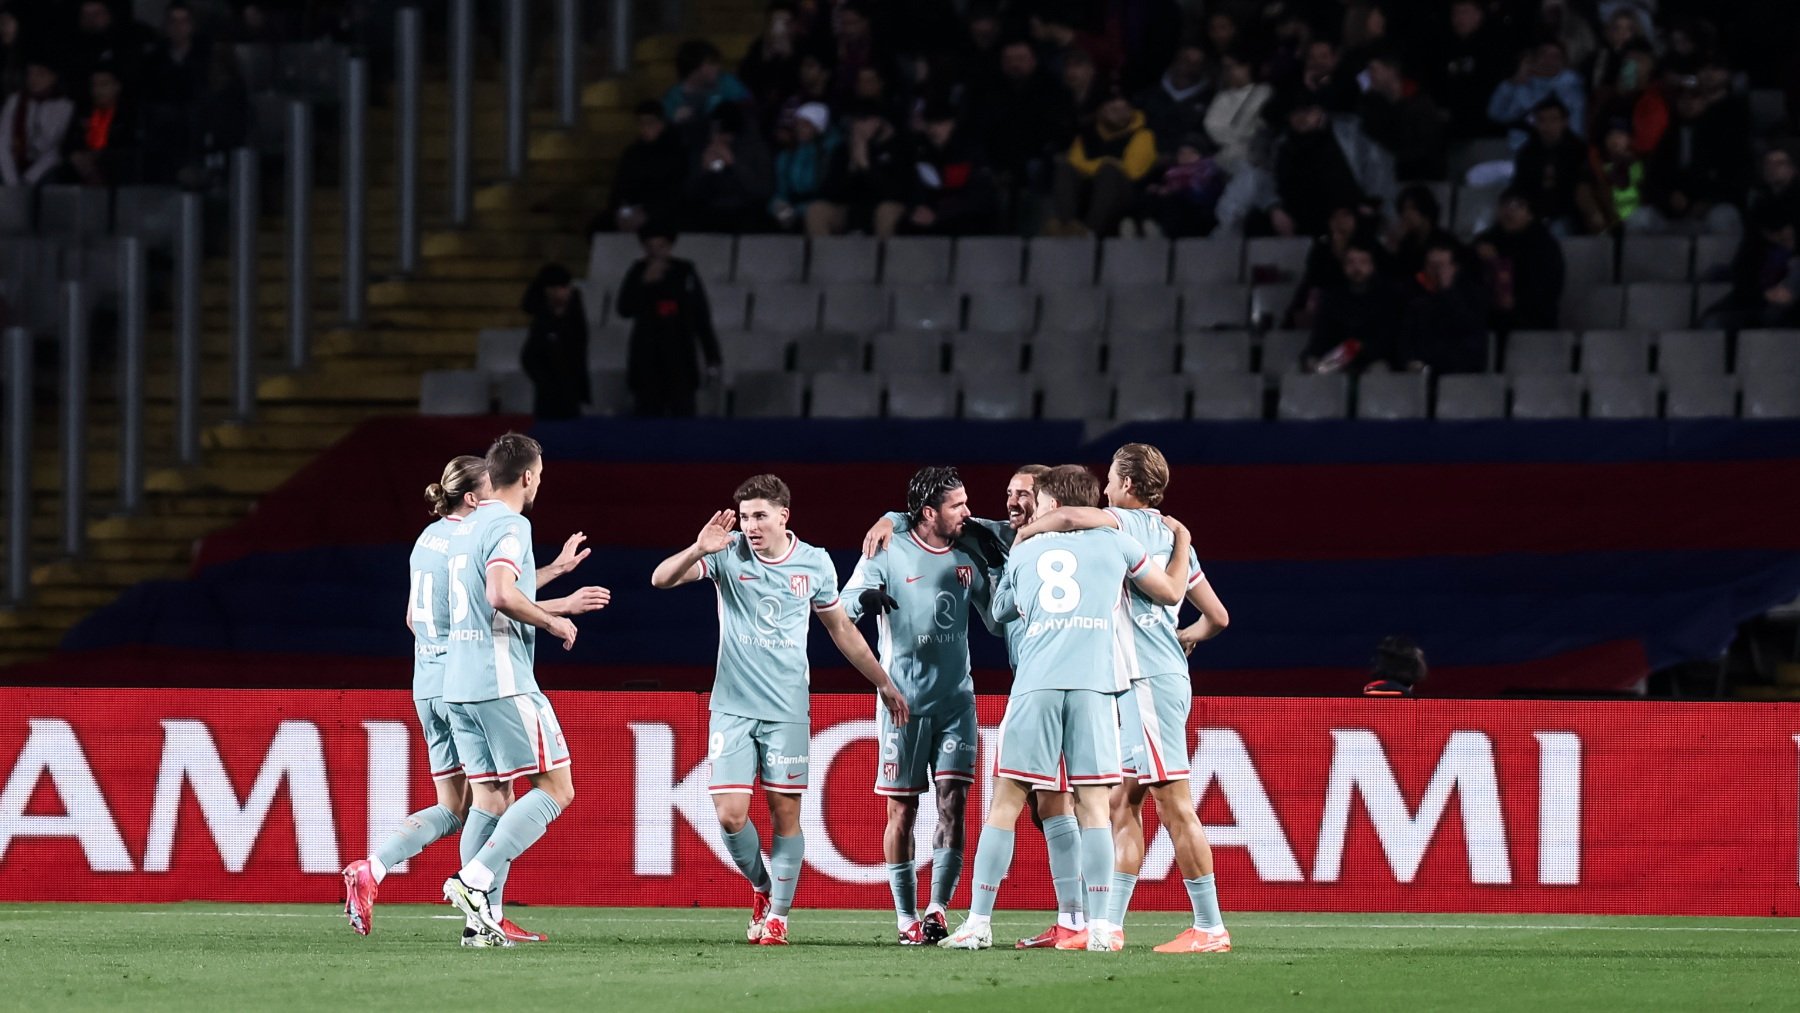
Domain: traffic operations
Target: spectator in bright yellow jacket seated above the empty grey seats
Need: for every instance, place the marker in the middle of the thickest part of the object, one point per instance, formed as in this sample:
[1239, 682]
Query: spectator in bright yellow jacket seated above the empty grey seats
[1097, 181]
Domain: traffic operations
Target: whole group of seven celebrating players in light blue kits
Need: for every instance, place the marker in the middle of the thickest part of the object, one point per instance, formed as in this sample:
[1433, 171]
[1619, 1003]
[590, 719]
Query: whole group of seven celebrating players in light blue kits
[1088, 602]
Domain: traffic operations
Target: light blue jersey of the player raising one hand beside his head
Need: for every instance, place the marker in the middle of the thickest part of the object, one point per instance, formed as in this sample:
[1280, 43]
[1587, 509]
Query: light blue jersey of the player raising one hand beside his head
[762, 627]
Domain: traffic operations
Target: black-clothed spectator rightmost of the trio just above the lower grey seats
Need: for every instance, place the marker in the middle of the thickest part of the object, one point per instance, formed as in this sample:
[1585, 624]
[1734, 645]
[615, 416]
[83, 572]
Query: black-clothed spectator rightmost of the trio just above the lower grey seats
[1524, 265]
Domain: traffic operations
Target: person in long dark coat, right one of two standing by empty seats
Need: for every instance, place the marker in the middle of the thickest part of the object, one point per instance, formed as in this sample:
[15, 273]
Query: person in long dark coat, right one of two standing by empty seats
[672, 328]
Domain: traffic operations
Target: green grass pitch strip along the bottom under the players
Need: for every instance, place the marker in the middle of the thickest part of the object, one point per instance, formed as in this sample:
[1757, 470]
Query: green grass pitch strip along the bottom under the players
[305, 956]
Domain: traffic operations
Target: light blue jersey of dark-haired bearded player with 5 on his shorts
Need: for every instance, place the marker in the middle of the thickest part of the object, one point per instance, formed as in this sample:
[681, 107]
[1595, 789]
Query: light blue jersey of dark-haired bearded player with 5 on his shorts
[924, 643]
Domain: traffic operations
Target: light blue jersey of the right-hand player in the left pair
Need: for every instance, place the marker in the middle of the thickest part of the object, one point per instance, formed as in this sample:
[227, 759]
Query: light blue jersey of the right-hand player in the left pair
[490, 654]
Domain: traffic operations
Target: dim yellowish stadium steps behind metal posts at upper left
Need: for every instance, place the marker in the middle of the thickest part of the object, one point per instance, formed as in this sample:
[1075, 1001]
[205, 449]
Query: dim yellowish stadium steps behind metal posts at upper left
[469, 280]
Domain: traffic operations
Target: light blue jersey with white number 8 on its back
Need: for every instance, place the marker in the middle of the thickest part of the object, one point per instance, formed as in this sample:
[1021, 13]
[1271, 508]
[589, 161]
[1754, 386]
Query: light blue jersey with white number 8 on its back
[1068, 591]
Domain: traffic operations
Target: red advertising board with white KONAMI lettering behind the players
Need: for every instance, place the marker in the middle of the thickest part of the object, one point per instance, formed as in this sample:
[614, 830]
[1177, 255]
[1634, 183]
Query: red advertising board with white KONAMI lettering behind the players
[1311, 805]
